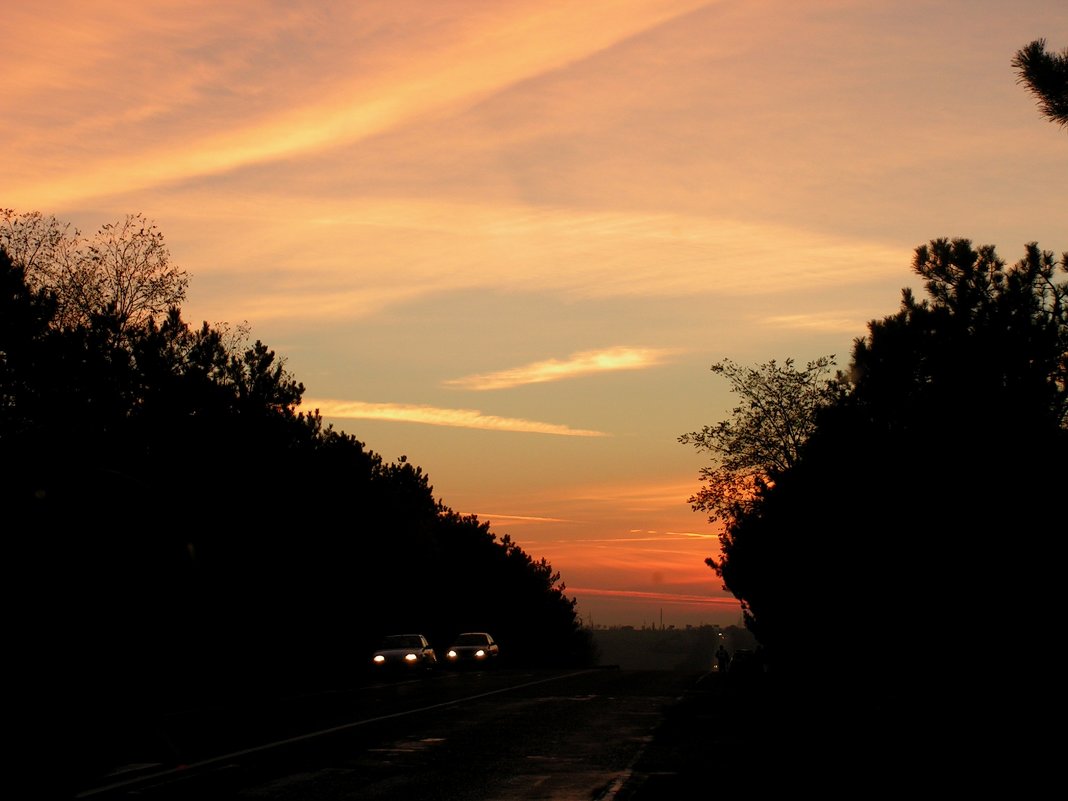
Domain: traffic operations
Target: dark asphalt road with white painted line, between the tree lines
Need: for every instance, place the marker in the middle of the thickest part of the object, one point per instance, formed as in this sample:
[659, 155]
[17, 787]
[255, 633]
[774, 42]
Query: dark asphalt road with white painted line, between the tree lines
[498, 735]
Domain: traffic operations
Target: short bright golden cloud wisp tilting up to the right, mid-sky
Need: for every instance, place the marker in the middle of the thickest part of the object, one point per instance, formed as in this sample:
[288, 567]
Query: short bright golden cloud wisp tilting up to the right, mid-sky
[583, 364]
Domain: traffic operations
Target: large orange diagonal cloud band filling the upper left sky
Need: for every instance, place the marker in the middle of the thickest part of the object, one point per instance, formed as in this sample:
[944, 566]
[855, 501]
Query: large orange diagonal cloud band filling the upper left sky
[447, 67]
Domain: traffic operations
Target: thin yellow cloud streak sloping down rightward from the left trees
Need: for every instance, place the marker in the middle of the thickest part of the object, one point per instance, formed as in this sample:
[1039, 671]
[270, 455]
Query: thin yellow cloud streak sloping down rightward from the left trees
[436, 416]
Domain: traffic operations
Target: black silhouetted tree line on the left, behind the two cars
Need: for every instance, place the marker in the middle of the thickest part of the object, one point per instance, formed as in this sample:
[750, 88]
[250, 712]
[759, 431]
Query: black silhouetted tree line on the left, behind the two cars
[178, 533]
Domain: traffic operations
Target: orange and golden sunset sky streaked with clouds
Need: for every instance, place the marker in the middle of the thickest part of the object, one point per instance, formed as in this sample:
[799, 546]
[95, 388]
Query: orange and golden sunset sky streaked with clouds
[507, 240]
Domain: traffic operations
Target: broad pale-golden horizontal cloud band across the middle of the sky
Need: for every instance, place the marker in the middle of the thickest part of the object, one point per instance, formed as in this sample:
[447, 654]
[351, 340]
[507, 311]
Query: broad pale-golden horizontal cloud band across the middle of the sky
[415, 248]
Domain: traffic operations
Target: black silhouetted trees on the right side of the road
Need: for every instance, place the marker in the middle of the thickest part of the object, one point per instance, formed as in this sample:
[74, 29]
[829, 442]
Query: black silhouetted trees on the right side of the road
[922, 515]
